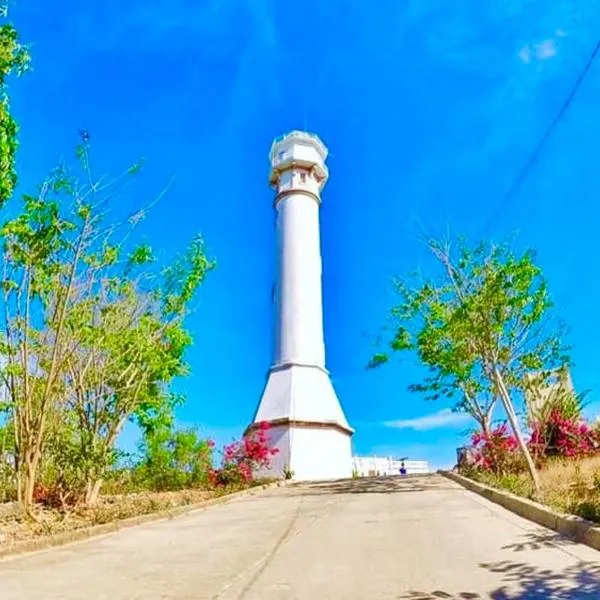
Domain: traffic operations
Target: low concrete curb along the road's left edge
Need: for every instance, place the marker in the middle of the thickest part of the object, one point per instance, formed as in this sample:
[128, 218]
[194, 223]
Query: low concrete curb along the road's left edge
[77, 535]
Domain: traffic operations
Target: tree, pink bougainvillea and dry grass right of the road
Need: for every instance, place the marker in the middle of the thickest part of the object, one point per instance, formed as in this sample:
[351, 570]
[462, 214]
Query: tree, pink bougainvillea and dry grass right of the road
[484, 326]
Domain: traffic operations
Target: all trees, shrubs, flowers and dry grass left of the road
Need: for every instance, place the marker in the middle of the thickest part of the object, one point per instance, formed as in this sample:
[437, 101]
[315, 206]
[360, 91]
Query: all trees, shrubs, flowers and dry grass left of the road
[92, 335]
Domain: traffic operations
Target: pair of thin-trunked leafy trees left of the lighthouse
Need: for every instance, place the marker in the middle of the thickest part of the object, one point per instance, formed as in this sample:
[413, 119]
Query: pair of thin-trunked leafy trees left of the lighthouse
[93, 330]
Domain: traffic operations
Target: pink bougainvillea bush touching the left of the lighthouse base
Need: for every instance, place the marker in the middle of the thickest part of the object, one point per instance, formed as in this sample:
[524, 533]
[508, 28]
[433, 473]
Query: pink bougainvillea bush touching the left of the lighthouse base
[241, 459]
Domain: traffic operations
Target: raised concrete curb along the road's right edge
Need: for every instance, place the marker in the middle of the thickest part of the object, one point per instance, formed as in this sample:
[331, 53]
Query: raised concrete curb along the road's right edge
[571, 526]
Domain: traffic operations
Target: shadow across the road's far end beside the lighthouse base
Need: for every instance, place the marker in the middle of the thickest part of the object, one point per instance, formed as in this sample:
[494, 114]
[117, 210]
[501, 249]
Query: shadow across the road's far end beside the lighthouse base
[375, 485]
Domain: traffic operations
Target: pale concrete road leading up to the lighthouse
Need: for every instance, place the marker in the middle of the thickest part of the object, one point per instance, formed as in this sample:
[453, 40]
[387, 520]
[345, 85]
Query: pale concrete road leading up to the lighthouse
[422, 538]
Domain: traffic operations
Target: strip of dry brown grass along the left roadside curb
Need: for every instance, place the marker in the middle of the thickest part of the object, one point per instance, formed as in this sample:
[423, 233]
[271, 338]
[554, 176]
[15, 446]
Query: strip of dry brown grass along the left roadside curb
[15, 528]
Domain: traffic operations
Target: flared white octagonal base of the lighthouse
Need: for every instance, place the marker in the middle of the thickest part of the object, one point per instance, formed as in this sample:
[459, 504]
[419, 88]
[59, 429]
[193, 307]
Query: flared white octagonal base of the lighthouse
[308, 426]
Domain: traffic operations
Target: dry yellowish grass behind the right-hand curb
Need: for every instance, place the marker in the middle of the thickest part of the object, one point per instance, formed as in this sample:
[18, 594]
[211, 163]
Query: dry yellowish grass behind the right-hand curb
[568, 485]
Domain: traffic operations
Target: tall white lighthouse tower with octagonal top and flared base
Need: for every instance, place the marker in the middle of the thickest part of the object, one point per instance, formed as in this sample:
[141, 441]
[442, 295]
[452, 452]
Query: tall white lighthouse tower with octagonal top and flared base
[307, 422]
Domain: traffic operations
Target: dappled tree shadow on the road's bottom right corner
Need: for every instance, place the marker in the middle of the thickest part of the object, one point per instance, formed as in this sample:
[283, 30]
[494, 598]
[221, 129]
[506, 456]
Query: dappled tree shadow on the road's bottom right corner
[525, 582]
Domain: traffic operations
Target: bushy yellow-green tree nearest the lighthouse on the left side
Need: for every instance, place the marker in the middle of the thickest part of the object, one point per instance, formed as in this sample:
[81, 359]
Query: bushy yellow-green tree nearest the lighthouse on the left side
[126, 344]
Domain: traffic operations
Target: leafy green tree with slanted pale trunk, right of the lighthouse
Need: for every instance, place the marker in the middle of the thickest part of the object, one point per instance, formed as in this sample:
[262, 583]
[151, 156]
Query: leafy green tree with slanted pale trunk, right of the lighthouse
[480, 328]
